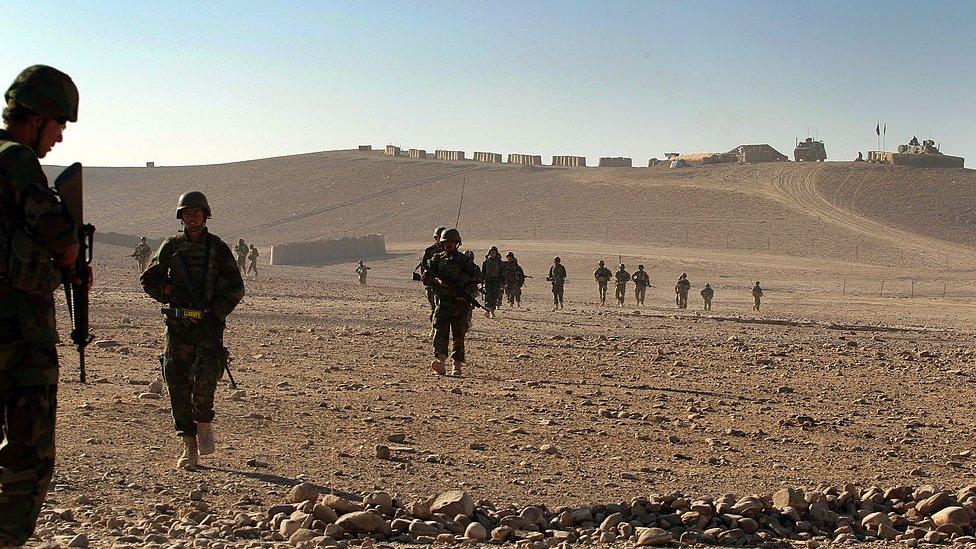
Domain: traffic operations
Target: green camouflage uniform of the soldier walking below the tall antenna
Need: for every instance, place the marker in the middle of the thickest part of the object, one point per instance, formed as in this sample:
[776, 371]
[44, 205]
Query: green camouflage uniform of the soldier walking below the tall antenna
[452, 315]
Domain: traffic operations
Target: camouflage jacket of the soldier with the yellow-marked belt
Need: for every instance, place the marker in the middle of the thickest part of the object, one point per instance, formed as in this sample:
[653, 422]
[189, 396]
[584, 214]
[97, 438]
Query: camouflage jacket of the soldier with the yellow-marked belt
[212, 270]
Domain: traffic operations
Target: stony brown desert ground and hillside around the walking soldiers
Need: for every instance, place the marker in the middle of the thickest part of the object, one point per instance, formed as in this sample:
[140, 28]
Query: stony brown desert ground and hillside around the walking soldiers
[858, 398]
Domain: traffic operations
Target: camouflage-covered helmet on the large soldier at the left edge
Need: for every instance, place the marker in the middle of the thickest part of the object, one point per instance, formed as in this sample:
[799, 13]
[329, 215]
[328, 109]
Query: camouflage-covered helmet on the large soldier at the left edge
[45, 91]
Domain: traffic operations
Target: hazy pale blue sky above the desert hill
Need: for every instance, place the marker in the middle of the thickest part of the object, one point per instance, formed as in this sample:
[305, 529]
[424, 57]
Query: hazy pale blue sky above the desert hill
[201, 82]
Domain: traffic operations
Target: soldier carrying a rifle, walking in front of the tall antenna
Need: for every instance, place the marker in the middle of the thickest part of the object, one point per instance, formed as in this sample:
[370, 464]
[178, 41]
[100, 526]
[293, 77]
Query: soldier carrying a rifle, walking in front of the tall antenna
[454, 278]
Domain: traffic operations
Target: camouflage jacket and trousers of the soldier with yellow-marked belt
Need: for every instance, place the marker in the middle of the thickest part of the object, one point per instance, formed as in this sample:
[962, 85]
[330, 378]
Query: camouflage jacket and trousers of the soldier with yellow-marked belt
[214, 271]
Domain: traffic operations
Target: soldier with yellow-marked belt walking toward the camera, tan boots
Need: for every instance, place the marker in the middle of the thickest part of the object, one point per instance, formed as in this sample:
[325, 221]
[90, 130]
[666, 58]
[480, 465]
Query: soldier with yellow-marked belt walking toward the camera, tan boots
[195, 274]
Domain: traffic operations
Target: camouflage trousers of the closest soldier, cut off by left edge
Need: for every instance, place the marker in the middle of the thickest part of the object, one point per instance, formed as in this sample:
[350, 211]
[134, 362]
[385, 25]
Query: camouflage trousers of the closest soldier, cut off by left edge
[28, 408]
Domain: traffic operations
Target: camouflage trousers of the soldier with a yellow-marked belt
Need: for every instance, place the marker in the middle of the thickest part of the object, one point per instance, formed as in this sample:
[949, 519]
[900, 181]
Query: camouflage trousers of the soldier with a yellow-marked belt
[191, 368]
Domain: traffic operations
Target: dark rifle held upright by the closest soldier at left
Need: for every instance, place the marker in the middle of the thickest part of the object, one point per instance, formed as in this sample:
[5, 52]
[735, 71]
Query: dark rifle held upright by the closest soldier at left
[76, 278]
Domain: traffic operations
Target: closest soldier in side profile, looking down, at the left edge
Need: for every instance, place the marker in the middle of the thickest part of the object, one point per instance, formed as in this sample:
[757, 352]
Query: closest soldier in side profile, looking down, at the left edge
[36, 237]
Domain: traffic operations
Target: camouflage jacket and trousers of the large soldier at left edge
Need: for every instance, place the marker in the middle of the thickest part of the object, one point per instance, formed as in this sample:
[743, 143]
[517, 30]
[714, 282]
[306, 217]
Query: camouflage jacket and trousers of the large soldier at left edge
[33, 226]
